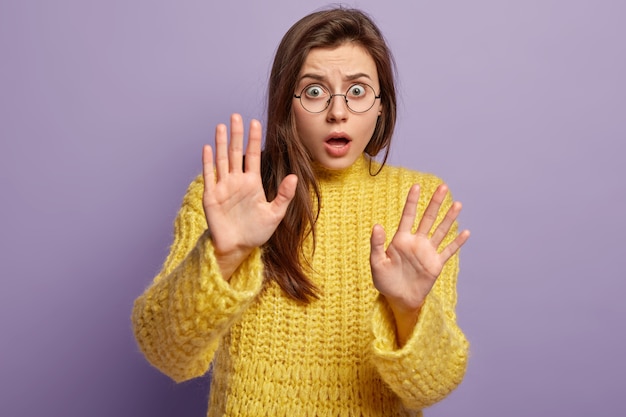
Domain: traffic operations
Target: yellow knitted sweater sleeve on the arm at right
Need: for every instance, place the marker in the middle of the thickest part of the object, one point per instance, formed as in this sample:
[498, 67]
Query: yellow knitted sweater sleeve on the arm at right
[433, 361]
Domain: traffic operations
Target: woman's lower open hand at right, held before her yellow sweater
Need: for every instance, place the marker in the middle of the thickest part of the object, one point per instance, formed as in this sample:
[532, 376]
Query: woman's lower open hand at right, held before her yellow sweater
[406, 272]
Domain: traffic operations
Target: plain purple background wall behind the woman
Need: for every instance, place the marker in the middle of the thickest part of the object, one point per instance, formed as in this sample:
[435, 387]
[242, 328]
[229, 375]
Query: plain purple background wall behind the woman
[104, 107]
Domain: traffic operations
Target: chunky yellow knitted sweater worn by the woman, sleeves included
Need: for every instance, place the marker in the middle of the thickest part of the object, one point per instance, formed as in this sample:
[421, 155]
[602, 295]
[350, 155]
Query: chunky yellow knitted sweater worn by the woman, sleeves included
[273, 356]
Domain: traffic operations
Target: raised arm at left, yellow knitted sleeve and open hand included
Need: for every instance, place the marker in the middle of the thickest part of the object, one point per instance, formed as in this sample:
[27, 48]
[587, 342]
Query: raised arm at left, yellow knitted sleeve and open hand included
[211, 275]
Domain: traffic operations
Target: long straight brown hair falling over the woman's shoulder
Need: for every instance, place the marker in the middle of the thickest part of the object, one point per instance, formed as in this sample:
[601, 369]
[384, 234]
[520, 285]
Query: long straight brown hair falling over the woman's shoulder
[284, 153]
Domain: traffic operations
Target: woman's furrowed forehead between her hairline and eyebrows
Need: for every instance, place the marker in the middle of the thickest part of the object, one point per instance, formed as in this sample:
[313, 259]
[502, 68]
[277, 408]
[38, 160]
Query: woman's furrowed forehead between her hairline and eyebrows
[343, 60]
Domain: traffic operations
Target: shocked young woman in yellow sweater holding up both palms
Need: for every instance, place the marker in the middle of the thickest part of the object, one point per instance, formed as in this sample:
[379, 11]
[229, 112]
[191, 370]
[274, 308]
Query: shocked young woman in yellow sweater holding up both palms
[304, 273]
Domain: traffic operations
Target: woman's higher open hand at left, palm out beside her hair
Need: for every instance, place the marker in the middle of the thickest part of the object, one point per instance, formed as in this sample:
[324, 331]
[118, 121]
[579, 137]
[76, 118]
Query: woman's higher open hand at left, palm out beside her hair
[238, 214]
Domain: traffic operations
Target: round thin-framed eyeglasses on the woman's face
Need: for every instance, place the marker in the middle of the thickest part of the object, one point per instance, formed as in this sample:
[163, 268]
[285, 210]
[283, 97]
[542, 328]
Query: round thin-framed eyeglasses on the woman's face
[359, 98]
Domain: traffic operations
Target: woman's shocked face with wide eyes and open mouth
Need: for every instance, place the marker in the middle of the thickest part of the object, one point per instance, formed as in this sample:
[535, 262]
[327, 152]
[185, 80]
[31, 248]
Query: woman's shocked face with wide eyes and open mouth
[337, 136]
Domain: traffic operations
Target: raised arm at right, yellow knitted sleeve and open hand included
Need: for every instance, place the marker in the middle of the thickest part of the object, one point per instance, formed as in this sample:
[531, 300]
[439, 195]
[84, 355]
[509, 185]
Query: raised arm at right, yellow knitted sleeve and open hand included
[418, 347]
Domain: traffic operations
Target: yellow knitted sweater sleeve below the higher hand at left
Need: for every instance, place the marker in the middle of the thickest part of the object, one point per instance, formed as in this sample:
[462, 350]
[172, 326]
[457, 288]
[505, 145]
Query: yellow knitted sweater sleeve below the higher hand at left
[179, 318]
